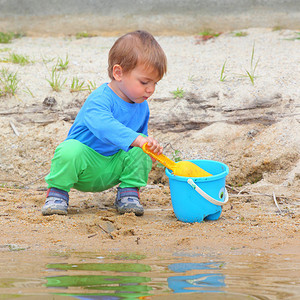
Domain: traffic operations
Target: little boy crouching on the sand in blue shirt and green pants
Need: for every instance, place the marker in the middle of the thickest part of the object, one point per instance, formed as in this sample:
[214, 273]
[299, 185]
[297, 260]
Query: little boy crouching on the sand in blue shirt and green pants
[103, 146]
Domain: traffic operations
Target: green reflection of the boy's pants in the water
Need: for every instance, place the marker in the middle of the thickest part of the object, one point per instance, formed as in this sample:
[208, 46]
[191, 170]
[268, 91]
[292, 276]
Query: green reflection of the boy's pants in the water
[102, 287]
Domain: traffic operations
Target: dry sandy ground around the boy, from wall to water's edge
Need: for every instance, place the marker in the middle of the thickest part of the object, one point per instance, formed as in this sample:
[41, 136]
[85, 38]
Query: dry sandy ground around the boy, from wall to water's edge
[254, 129]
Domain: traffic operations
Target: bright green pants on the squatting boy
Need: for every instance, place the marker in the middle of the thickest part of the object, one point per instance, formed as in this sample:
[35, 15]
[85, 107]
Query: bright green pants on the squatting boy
[78, 166]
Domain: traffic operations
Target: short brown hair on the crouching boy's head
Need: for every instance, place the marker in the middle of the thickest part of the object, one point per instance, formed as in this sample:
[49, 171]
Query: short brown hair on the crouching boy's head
[134, 48]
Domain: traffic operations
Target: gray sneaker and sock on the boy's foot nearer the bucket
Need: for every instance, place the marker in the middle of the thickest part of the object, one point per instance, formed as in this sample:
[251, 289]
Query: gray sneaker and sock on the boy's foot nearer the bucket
[127, 201]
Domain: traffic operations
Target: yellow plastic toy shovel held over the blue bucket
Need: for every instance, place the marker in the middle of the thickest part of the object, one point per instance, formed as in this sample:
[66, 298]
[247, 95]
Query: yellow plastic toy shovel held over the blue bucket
[181, 168]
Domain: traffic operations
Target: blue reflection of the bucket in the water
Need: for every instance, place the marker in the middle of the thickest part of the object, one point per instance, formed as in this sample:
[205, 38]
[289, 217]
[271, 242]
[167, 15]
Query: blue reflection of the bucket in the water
[204, 282]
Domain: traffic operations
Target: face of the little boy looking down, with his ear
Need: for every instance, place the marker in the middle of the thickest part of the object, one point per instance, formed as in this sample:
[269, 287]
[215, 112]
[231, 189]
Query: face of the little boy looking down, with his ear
[135, 86]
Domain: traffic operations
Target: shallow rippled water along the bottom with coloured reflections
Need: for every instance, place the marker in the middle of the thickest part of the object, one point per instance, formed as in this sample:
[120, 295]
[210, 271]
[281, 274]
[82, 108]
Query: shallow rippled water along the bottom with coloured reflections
[112, 276]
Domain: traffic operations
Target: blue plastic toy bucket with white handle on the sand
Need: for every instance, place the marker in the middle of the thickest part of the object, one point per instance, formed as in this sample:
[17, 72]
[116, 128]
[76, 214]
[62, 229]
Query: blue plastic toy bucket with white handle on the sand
[196, 199]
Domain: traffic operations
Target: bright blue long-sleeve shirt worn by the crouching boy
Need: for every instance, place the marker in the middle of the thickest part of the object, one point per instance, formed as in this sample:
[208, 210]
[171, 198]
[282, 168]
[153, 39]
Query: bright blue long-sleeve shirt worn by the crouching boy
[107, 123]
